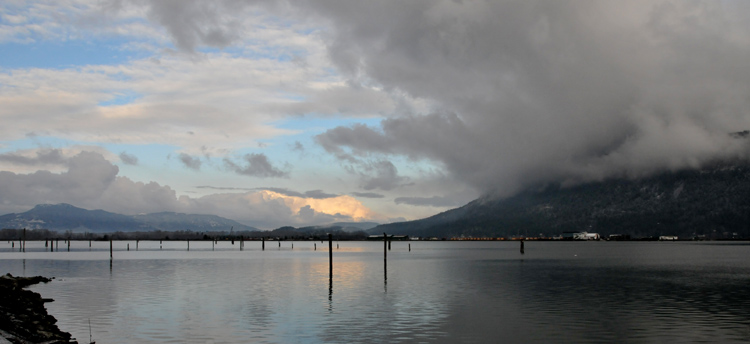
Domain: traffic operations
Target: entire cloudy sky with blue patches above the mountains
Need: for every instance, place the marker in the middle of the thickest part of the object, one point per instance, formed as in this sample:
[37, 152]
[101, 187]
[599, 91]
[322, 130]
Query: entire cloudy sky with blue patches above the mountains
[276, 113]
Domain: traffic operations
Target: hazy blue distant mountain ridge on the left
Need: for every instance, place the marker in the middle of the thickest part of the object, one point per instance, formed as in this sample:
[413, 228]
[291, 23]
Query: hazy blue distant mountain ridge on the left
[64, 217]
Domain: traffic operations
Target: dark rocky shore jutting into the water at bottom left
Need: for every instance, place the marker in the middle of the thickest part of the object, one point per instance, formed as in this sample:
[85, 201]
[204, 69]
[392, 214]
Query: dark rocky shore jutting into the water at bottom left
[23, 318]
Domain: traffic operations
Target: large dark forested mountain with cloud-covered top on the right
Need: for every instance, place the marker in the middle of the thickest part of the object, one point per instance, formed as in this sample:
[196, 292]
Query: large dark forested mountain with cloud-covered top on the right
[713, 201]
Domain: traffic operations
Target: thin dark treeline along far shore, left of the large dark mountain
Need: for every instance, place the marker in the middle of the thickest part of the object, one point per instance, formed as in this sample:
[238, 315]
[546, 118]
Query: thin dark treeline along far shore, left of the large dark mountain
[285, 233]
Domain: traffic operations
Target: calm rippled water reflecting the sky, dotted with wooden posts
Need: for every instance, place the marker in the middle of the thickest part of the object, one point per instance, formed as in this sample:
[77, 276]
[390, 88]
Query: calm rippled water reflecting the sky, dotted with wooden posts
[440, 292]
